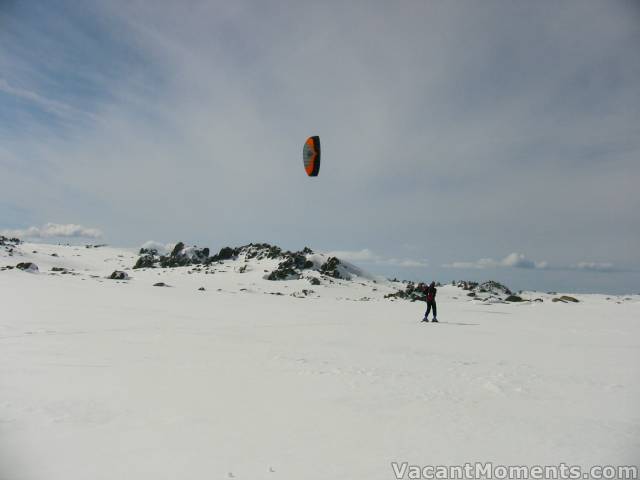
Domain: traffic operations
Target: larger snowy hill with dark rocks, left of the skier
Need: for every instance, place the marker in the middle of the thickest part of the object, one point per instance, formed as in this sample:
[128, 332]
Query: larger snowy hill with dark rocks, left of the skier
[253, 268]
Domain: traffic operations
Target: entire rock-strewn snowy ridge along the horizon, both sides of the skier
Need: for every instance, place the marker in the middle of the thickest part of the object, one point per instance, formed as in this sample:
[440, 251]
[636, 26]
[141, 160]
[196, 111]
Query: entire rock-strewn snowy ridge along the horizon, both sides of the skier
[256, 267]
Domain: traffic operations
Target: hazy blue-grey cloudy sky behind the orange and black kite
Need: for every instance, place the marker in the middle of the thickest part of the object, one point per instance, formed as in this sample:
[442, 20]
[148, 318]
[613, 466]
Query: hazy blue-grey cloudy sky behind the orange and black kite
[460, 140]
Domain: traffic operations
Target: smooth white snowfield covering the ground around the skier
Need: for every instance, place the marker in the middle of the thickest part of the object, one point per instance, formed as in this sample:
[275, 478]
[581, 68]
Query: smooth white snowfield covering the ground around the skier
[105, 379]
